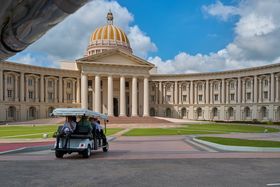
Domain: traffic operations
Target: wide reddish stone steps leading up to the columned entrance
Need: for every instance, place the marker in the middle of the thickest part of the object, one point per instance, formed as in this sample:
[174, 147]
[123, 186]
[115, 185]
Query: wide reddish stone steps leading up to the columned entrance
[130, 120]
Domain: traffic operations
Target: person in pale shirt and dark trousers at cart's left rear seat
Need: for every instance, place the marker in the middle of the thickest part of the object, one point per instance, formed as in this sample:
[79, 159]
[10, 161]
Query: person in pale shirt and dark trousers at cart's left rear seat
[67, 129]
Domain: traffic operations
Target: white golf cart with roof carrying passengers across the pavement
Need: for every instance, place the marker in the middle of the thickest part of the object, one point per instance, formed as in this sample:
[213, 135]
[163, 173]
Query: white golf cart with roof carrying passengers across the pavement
[84, 138]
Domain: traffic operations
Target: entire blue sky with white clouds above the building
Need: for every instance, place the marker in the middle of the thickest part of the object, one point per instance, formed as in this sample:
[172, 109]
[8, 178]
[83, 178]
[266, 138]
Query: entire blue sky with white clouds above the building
[177, 36]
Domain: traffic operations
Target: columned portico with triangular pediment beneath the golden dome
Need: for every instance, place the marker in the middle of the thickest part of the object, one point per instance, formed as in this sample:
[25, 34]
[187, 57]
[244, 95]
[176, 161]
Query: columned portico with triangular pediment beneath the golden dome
[117, 88]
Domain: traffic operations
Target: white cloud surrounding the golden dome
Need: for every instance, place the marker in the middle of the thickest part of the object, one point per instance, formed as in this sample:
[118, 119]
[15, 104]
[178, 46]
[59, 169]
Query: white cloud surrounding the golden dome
[69, 39]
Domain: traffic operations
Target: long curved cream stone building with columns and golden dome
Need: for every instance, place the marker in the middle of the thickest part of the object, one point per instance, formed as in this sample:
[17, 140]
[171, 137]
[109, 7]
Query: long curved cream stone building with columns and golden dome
[110, 79]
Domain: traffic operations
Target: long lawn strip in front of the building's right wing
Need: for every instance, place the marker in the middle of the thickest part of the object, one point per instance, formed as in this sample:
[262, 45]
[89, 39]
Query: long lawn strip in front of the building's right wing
[200, 129]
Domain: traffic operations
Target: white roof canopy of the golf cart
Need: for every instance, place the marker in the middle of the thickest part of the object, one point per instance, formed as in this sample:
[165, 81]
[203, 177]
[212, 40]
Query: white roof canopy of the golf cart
[78, 112]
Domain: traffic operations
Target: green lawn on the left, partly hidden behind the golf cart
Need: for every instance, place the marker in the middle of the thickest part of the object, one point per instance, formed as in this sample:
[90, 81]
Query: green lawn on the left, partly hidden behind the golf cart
[36, 131]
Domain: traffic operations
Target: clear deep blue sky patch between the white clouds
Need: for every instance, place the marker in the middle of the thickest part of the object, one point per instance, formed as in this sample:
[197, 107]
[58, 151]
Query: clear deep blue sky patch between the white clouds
[179, 25]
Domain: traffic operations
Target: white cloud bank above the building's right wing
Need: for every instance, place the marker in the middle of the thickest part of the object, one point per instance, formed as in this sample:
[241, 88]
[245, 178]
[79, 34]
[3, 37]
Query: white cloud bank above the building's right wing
[256, 42]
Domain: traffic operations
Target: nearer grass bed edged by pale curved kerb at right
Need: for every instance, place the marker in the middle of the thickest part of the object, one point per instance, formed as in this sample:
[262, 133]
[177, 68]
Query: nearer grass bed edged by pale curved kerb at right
[241, 142]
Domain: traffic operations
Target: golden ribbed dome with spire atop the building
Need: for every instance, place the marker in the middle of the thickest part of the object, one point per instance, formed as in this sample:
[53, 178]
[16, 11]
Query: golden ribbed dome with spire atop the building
[108, 37]
